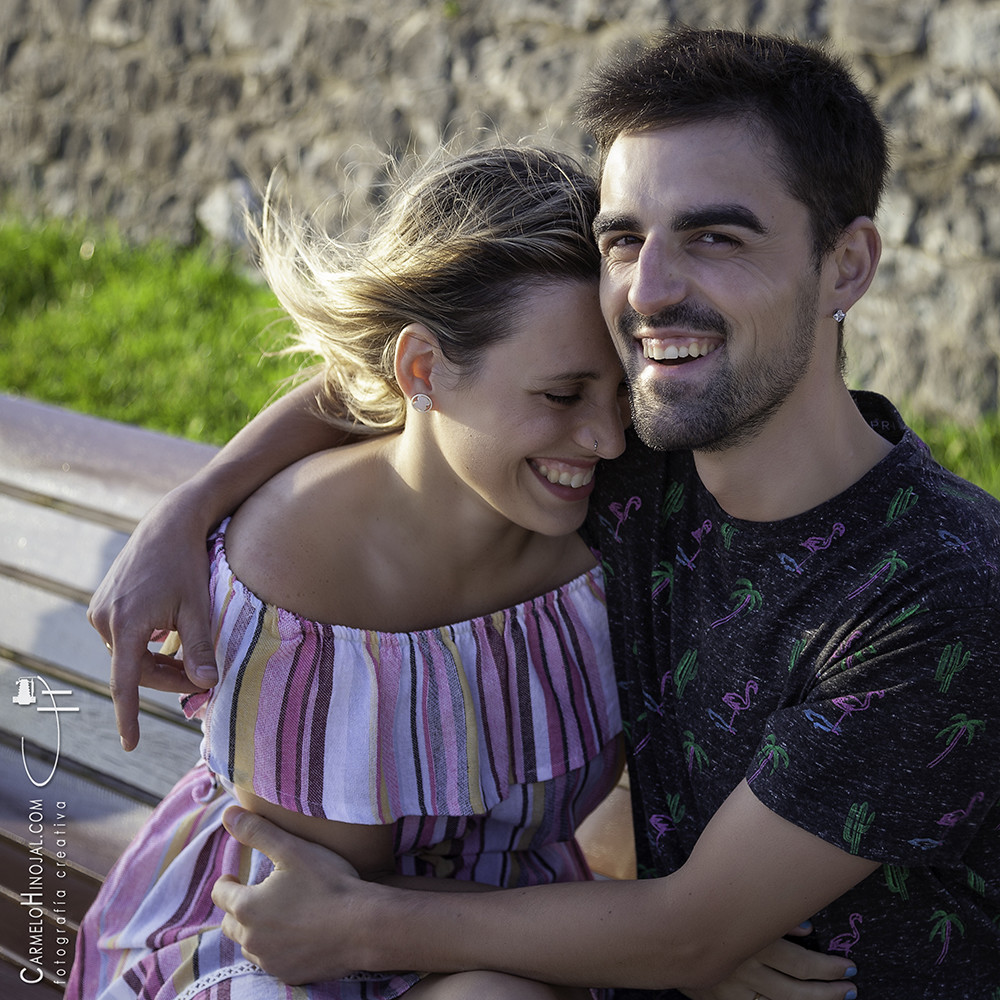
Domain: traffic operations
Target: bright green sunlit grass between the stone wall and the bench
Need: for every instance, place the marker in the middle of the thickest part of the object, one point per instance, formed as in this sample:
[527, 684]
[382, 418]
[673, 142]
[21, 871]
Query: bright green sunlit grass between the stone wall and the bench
[174, 339]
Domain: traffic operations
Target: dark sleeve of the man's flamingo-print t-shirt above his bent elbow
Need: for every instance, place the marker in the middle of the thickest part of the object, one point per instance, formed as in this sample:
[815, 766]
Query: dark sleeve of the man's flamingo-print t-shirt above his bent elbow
[894, 754]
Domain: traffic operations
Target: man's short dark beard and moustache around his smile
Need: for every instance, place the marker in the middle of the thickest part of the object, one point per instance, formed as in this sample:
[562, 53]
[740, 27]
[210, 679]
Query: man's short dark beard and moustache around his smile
[731, 407]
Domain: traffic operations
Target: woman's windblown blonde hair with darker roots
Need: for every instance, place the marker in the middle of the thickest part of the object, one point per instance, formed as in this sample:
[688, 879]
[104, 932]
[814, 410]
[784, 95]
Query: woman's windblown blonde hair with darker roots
[453, 249]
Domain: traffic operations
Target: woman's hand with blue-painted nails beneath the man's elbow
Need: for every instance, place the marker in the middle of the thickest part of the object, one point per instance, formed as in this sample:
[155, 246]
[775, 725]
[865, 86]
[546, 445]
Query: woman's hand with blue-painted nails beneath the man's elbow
[785, 971]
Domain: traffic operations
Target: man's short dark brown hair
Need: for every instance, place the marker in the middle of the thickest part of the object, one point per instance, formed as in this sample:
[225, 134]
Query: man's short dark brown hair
[832, 147]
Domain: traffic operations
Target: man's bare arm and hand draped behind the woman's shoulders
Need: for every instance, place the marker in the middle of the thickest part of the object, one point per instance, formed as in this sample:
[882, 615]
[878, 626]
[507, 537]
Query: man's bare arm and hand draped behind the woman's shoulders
[159, 580]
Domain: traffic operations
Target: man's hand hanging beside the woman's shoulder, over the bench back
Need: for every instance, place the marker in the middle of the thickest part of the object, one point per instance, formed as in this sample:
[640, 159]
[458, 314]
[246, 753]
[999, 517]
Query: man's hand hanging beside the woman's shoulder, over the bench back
[159, 582]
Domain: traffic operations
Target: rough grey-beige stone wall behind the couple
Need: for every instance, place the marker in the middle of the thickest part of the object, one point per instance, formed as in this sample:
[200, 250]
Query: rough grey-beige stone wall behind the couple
[164, 114]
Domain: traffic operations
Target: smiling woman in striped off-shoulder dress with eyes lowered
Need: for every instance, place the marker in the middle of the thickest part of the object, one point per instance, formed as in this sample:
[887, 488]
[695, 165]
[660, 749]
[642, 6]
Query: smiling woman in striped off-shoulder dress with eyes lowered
[334, 584]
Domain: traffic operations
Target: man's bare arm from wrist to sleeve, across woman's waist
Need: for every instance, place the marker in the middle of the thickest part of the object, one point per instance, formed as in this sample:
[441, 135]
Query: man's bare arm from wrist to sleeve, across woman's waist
[751, 876]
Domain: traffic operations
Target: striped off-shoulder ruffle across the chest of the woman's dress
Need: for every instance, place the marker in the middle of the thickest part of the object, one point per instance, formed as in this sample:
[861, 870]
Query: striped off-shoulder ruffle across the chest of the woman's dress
[439, 722]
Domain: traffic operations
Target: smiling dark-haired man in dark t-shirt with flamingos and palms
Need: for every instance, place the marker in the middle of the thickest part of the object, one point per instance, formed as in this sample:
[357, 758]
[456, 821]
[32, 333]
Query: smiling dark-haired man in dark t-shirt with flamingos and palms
[807, 658]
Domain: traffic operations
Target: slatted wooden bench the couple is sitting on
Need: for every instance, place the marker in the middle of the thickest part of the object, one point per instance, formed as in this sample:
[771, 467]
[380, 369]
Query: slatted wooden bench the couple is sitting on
[71, 489]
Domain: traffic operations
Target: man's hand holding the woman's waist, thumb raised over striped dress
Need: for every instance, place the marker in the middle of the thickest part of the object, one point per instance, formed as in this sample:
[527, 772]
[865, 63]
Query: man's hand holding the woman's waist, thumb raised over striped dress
[285, 924]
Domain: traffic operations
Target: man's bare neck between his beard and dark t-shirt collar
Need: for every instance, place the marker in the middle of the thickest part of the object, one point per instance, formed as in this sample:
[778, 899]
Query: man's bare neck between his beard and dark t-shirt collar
[811, 450]
